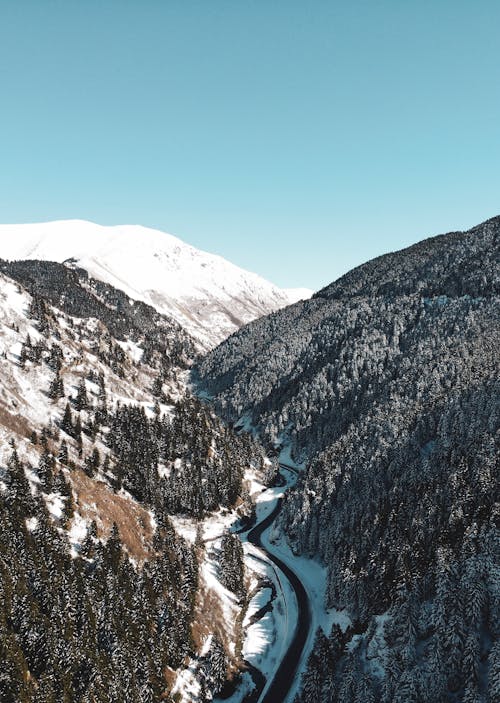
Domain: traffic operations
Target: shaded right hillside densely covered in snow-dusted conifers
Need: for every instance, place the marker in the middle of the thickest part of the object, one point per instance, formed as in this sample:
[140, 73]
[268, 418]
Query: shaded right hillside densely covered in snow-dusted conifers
[387, 382]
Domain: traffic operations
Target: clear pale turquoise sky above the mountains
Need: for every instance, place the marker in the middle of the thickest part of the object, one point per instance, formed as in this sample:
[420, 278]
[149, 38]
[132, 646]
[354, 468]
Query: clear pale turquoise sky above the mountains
[296, 138]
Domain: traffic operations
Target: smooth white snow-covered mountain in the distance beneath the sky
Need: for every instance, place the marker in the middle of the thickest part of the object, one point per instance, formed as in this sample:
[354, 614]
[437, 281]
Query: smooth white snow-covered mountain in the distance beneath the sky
[207, 295]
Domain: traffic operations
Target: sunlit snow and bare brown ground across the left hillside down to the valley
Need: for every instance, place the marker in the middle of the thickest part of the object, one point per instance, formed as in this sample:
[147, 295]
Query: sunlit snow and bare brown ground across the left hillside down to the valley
[26, 408]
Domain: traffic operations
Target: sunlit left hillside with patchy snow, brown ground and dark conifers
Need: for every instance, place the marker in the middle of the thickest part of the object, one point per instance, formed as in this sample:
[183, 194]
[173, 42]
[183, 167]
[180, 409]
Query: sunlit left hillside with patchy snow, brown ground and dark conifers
[100, 598]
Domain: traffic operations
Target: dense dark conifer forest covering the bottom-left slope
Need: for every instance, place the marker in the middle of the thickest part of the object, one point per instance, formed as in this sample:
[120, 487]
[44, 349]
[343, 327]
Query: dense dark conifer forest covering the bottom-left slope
[71, 629]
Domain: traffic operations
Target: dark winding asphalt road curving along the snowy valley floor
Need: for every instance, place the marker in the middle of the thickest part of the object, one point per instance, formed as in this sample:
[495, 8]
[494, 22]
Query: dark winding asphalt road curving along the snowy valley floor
[279, 688]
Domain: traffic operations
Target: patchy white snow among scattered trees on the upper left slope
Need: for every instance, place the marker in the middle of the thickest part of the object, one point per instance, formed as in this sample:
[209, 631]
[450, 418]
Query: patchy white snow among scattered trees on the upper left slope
[25, 407]
